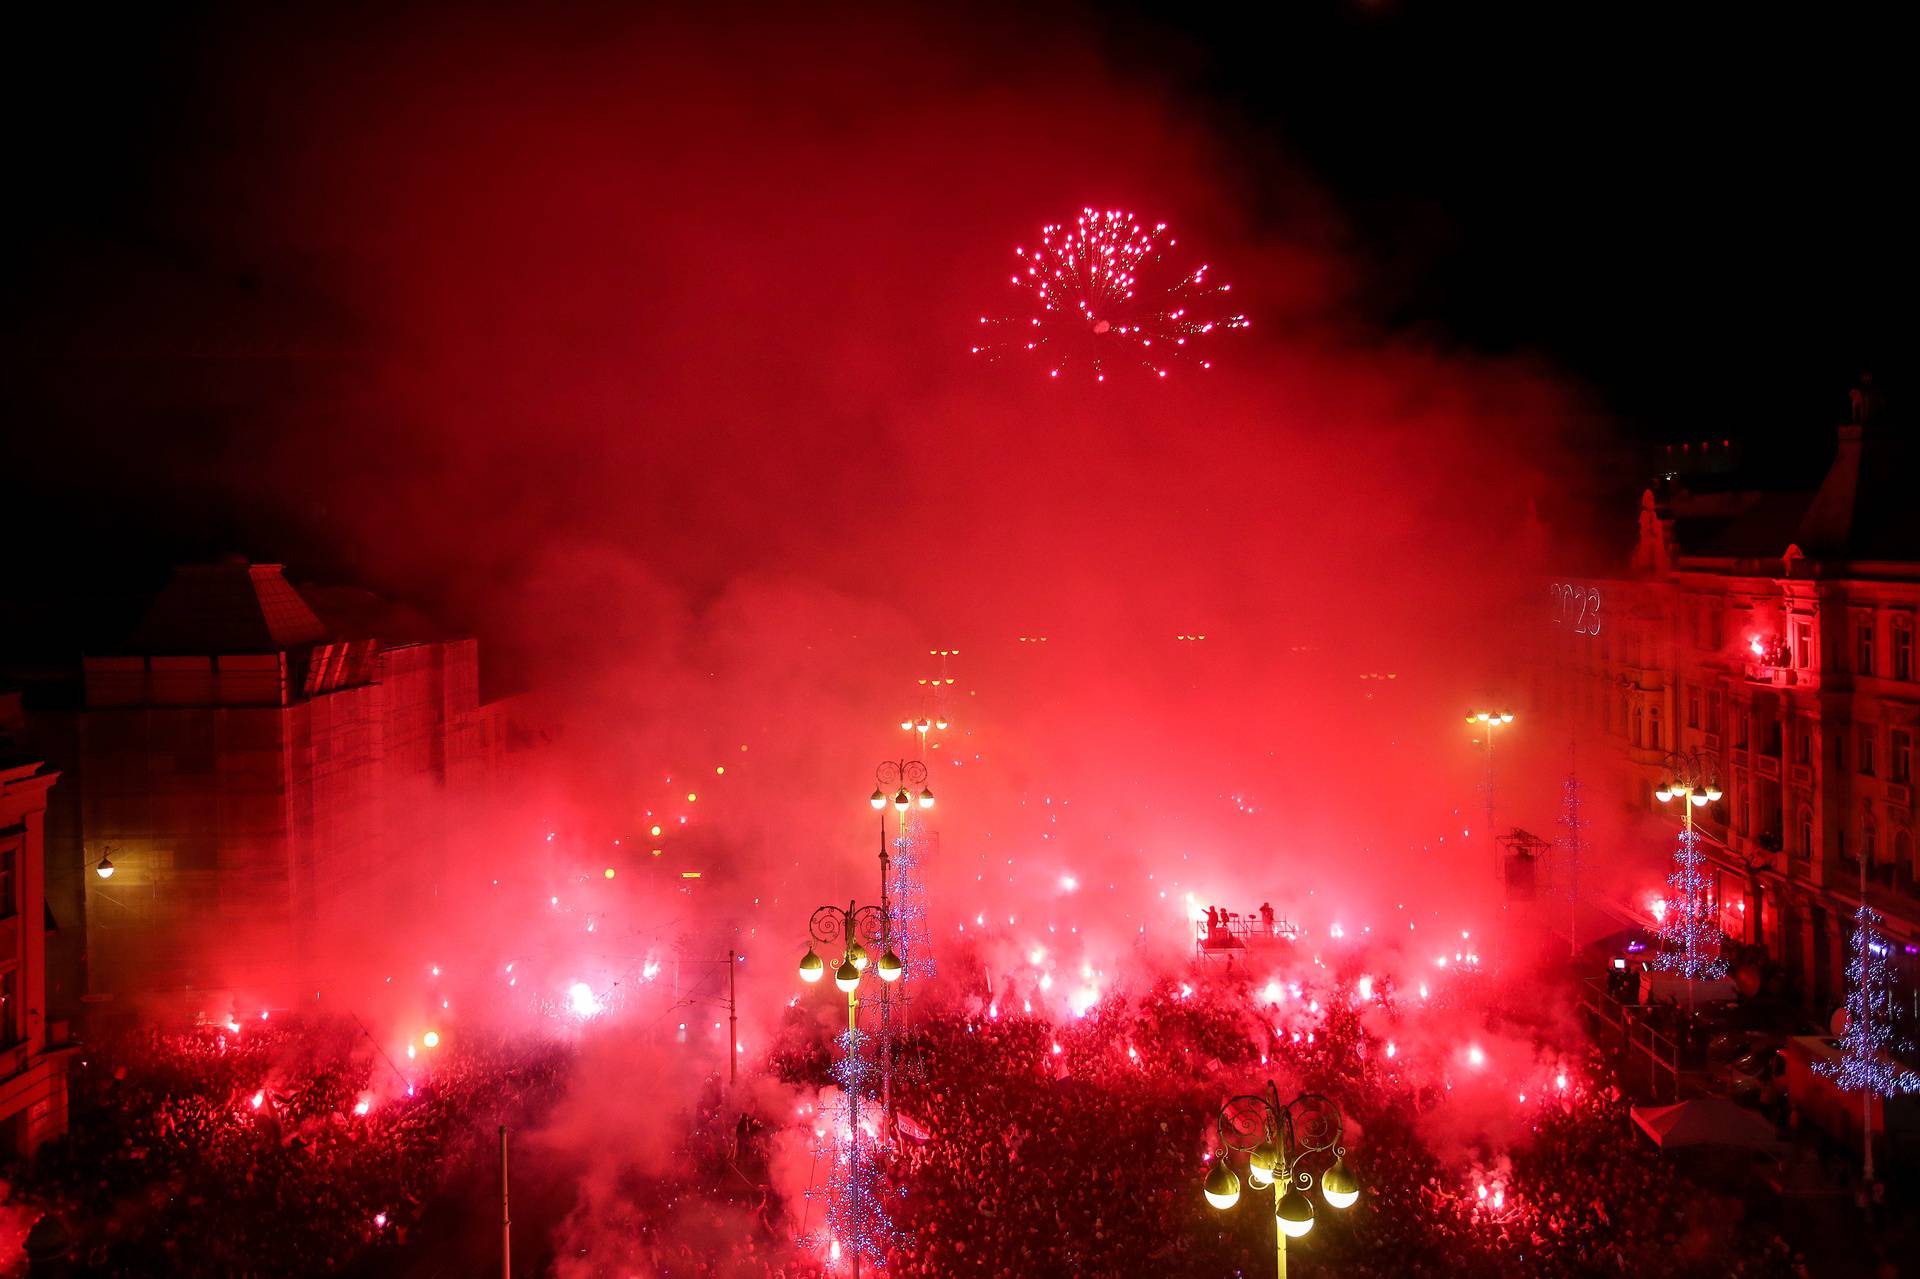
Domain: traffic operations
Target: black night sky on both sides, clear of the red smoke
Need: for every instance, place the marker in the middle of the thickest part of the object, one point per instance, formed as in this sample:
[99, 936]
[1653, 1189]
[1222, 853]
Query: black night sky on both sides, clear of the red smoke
[1687, 214]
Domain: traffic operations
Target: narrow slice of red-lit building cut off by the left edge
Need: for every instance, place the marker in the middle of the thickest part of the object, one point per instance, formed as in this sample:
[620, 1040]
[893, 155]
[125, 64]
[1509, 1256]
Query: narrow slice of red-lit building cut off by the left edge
[34, 1046]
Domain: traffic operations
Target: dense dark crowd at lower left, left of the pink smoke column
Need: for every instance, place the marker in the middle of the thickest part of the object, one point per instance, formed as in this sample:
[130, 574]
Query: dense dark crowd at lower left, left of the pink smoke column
[270, 1146]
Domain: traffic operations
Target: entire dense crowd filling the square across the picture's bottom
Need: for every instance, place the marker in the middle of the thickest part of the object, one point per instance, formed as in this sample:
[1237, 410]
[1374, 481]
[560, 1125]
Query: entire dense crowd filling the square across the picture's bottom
[1024, 1144]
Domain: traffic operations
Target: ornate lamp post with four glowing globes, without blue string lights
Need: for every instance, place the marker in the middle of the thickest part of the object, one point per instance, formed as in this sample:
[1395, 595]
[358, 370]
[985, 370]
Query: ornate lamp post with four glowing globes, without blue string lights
[1287, 1149]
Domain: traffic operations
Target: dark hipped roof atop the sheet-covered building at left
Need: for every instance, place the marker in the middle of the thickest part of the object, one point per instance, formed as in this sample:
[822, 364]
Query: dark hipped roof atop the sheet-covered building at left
[226, 610]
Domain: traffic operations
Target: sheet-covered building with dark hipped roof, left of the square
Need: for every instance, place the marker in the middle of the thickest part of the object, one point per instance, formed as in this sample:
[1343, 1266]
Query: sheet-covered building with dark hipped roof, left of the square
[254, 792]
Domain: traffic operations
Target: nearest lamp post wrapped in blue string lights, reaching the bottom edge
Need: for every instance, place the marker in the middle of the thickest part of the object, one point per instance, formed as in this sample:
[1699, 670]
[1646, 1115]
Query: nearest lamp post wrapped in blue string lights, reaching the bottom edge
[857, 1215]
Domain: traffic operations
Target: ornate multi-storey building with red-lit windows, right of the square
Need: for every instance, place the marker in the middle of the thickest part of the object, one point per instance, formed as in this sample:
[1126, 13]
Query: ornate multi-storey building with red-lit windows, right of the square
[1773, 633]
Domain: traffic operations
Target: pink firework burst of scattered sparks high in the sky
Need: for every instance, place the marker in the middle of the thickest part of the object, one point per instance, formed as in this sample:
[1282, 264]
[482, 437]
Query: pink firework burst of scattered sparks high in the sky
[1101, 297]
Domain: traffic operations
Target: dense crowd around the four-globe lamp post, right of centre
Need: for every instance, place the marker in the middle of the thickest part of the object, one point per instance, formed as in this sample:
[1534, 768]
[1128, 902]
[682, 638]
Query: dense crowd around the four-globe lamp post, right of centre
[1080, 1147]
